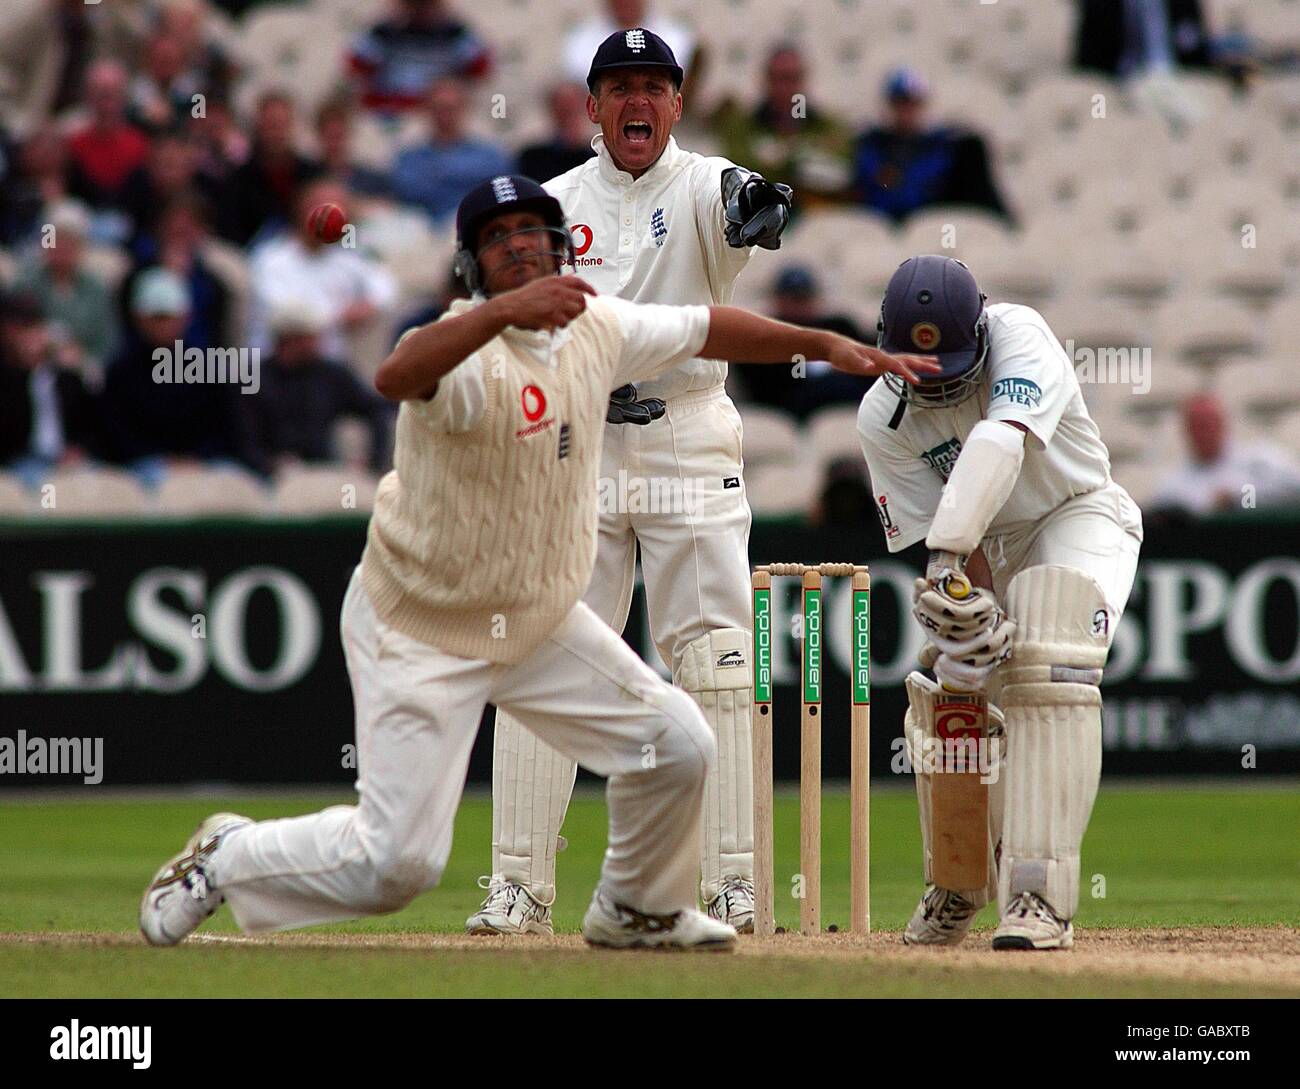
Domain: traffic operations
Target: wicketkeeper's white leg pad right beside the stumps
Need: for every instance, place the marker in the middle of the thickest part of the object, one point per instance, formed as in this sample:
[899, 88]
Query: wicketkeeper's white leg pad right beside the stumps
[716, 673]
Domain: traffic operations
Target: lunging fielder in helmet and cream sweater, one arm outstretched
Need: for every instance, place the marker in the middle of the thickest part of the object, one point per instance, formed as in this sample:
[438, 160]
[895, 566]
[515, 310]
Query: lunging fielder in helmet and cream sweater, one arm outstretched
[470, 592]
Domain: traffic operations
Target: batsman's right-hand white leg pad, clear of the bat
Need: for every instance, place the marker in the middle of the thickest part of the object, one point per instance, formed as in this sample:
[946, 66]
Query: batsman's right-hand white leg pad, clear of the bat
[1054, 731]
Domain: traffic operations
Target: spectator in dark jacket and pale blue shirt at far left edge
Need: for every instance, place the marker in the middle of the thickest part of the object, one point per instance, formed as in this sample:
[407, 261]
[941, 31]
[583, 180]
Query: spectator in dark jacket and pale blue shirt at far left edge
[47, 416]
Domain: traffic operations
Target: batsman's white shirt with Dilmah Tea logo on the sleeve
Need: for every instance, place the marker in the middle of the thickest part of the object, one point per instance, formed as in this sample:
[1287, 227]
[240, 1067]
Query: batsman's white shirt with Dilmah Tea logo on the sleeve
[1029, 380]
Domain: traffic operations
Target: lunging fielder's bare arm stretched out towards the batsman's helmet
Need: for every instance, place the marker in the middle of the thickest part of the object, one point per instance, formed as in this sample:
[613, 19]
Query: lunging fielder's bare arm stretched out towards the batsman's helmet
[736, 335]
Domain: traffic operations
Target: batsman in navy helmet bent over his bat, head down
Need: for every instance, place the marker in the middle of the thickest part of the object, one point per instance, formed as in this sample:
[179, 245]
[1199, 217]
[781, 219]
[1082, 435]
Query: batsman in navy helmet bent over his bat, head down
[998, 467]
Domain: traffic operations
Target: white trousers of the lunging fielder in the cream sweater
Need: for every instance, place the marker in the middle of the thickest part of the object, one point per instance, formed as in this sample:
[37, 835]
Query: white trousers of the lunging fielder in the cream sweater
[418, 711]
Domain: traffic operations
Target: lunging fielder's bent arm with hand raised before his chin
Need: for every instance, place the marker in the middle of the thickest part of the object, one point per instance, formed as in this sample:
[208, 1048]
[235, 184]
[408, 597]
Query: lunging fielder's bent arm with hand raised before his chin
[419, 362]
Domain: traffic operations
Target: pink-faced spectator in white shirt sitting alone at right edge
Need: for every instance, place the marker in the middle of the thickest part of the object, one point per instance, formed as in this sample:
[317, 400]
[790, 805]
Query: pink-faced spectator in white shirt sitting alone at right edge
[1224, 475]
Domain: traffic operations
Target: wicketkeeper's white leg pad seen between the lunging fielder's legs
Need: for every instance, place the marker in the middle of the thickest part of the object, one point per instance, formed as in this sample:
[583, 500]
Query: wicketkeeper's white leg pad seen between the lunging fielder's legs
[531, 791]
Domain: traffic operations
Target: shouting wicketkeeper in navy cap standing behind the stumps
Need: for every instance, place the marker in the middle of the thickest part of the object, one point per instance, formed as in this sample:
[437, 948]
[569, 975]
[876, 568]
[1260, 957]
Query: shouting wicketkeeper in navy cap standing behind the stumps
[656, 224]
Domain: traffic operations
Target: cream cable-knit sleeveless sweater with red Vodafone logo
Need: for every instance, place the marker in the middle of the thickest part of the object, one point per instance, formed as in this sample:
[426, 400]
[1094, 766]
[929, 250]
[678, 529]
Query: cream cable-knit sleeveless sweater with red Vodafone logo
[483, 541]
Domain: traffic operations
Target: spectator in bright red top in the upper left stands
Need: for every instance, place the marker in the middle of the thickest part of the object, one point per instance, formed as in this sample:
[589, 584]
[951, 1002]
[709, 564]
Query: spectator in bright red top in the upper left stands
[109, 149]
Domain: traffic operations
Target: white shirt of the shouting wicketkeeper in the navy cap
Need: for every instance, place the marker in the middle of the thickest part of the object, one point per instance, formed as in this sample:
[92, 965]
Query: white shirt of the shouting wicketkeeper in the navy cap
[655, 240]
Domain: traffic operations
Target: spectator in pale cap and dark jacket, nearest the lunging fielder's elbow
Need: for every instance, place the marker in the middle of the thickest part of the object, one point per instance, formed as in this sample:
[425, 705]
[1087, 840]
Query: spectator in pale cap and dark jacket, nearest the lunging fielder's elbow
[304, 396]
